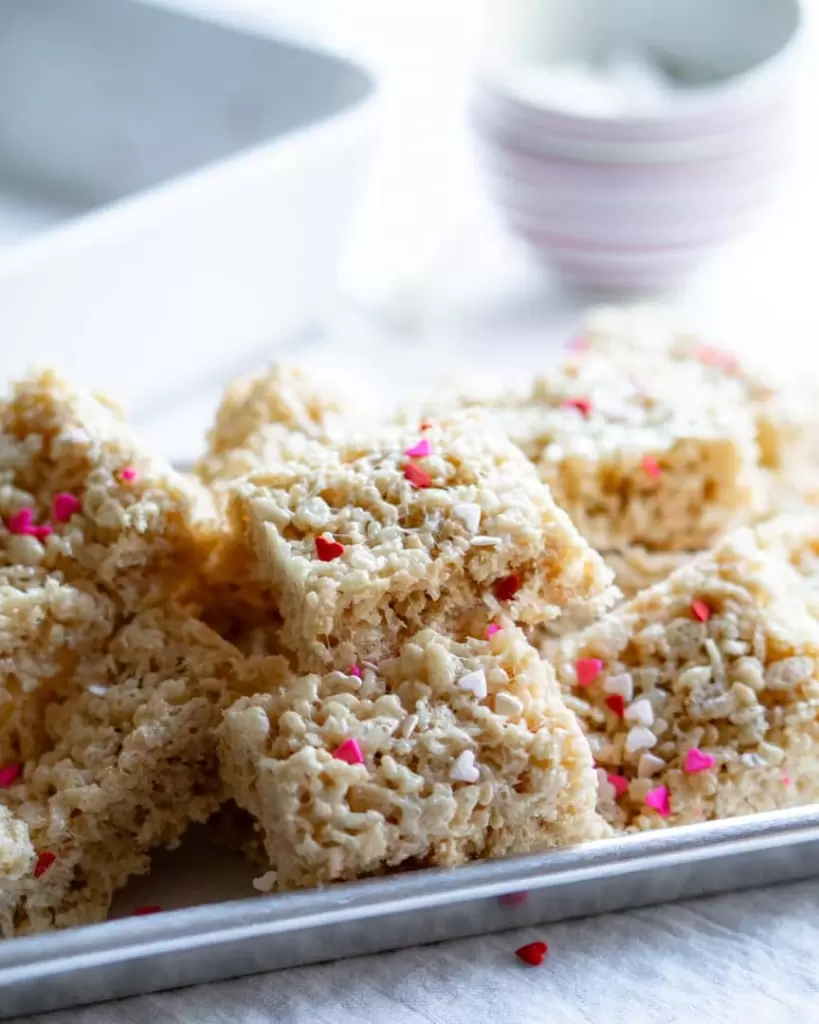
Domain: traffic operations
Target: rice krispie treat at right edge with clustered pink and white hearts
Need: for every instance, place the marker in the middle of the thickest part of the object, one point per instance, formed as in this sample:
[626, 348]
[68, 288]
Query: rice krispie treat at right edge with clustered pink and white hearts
[701, 697]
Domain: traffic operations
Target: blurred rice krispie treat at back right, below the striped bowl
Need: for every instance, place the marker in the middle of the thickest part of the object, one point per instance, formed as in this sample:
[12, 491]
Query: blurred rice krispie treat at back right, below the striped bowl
[665, 459]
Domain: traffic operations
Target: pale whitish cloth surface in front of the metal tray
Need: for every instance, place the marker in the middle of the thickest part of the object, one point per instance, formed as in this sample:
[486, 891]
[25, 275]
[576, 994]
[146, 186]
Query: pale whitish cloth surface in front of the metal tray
[727, 960]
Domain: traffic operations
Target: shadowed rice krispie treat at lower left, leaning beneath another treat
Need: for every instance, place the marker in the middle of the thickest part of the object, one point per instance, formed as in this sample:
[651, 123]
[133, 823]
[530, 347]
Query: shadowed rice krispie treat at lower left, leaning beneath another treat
[131, 761]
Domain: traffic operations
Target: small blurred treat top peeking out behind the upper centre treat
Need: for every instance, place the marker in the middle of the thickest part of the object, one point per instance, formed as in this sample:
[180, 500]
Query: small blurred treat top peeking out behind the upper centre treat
[279, 398]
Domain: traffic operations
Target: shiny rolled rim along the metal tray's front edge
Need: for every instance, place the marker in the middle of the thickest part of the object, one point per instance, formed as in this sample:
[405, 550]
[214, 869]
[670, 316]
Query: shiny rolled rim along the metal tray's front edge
[203, 927]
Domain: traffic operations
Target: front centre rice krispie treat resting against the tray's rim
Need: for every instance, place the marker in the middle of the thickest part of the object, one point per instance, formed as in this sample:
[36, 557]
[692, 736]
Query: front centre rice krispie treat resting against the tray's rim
[448, 753]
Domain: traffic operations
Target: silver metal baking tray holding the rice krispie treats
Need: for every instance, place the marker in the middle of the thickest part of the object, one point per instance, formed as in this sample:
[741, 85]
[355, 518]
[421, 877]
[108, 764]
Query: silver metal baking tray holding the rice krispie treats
[266, 933]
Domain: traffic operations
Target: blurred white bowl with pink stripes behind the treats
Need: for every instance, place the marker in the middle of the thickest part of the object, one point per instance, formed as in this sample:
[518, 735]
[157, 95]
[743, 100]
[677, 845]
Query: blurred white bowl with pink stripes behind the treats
[632, 202]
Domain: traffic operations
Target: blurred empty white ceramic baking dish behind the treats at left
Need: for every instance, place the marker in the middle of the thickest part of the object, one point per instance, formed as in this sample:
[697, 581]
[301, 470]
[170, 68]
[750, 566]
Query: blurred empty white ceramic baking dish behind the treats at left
[174, 190]
